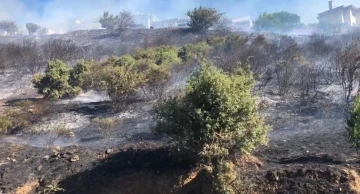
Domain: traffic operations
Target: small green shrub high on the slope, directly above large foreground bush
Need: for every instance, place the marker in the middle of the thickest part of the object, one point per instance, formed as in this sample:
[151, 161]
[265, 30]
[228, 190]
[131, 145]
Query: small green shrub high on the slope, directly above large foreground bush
[190, 52]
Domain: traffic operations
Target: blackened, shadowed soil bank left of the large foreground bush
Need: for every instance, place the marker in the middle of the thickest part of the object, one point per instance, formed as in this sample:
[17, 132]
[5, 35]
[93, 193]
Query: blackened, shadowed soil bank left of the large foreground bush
[110, 173]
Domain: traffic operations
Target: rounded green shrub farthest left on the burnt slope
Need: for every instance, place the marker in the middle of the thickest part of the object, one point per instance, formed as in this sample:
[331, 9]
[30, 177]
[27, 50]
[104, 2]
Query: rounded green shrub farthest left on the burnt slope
[55, 83]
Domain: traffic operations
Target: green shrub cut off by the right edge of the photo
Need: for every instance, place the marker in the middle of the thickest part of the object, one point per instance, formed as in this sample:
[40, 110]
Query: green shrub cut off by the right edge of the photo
[353, 124]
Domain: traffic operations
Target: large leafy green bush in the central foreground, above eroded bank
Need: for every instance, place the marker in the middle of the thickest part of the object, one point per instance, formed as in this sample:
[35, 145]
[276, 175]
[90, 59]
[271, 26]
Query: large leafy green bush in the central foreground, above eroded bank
[216, 119]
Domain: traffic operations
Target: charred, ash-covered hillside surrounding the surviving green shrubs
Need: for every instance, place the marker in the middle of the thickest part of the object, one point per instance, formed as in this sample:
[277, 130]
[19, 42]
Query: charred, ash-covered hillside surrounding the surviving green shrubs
[90, 144]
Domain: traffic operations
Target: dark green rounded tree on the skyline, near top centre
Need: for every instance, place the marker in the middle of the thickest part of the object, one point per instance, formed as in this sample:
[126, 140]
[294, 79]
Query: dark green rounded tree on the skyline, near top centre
[203, 18]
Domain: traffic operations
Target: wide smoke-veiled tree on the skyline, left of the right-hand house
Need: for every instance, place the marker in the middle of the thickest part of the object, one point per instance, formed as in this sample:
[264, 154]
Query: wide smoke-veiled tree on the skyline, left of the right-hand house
[277, 22]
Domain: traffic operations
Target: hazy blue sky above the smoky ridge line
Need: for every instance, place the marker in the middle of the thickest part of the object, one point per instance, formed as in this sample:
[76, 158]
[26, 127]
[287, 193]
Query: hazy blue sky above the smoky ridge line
[63, 15]
